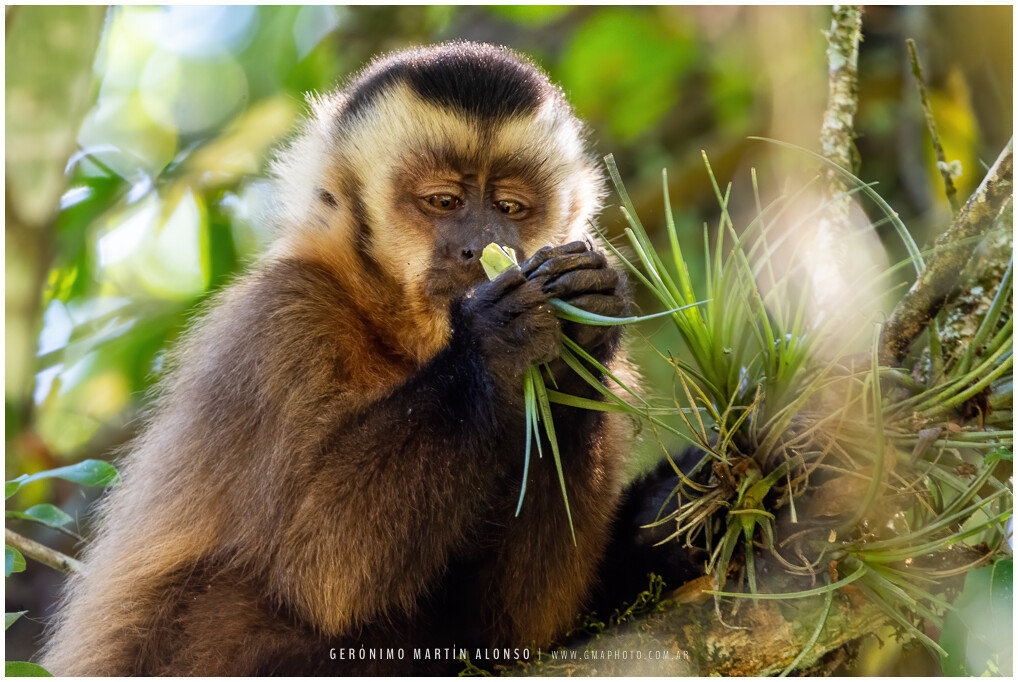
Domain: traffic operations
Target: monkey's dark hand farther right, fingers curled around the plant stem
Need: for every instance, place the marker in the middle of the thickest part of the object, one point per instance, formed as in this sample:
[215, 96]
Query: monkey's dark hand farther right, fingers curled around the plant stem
[582, 277]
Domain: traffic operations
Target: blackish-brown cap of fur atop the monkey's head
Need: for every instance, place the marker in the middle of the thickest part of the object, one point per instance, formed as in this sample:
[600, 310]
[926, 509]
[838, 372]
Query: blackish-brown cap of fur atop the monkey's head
[482, 81]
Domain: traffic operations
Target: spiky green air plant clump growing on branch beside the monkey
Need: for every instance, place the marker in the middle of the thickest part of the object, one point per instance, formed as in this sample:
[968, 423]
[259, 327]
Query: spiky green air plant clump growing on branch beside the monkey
[901, 487]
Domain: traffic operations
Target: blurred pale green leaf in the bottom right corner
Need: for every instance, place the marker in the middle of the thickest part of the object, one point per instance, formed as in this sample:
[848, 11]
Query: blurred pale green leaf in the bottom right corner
[978, 637]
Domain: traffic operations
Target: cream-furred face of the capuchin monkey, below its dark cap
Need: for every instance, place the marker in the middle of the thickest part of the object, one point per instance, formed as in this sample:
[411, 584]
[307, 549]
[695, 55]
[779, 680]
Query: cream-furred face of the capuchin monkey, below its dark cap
[438, 186]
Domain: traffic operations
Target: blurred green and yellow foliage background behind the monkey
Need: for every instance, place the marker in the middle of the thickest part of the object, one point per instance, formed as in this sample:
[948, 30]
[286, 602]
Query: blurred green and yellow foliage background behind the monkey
[138, 139]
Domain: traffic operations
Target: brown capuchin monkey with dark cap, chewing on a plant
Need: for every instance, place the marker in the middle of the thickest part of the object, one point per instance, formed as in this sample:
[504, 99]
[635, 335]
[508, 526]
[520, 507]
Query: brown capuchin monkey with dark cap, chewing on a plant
[336, 453]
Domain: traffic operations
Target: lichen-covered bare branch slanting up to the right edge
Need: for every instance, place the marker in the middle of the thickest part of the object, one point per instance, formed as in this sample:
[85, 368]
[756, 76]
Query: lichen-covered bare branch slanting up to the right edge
[952, 251]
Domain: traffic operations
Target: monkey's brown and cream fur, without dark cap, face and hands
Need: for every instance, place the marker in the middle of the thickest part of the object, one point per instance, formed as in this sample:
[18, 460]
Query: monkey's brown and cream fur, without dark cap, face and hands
[279, 500]
